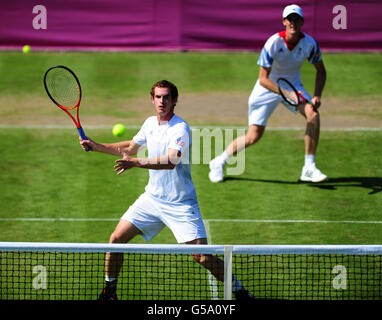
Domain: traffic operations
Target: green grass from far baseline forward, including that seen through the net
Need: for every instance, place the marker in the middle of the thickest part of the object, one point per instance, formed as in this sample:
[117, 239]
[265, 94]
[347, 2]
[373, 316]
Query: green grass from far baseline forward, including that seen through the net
[45, 174]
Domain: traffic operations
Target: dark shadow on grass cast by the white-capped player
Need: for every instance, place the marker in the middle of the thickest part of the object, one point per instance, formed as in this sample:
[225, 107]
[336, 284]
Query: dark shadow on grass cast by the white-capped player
[372, 183]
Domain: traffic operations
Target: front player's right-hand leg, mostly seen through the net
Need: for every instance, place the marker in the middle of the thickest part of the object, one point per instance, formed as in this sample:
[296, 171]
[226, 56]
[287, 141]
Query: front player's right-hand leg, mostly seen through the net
[216, 267]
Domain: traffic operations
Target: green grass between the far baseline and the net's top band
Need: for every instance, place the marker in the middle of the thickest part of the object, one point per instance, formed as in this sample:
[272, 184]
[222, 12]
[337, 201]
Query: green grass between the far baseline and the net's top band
[45, 174]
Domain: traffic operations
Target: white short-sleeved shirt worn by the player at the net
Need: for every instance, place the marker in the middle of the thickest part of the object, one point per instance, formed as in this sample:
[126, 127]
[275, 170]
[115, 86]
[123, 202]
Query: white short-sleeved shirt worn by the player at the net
[169, 186]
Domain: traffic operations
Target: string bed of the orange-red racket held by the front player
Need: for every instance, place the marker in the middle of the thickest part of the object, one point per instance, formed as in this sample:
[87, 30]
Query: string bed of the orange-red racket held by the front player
[63, 88]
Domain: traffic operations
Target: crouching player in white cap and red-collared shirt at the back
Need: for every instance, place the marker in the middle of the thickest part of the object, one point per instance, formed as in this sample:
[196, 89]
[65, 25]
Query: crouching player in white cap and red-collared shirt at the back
[282, 56]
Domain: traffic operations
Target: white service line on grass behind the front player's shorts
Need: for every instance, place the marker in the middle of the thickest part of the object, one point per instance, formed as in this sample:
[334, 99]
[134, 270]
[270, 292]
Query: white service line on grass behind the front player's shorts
[206, 221]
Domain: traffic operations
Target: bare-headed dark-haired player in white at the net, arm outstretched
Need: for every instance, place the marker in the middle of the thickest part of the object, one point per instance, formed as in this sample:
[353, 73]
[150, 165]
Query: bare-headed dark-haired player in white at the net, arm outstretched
[170, 198]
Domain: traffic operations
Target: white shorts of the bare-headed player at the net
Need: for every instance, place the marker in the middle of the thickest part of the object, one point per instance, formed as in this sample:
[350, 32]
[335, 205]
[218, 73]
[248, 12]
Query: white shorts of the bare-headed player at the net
[150, 216]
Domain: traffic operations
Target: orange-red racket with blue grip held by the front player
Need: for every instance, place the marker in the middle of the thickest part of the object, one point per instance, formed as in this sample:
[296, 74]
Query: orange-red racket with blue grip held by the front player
[64, 89]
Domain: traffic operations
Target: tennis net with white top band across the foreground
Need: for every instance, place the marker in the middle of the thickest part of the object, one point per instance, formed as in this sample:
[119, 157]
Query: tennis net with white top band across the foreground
[65, 271]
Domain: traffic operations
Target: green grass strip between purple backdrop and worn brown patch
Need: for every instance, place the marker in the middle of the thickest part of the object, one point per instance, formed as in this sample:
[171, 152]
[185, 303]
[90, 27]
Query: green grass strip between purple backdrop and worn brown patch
[124, 75]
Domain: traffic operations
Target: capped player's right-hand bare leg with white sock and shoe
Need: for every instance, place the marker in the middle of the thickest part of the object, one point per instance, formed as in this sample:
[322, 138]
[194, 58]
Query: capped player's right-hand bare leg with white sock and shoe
[310, 172]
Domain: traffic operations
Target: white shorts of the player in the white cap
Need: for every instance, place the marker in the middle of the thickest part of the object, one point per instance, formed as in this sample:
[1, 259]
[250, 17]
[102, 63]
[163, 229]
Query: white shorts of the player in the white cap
[262, 103]
